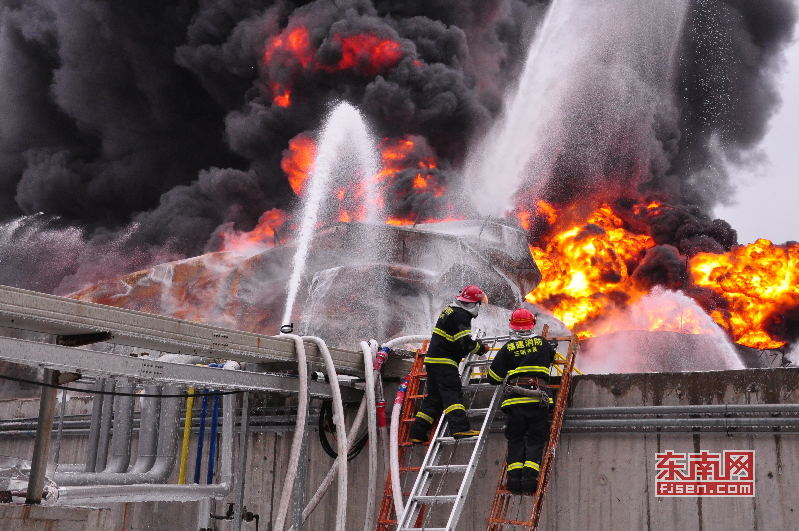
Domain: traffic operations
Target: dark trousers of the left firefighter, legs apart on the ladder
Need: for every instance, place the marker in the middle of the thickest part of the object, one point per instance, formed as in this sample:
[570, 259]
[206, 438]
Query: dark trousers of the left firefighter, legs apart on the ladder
[444, 393]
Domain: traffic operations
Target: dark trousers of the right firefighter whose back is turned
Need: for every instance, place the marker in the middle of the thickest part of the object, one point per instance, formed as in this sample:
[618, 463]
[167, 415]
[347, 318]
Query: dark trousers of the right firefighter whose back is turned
[527, 432]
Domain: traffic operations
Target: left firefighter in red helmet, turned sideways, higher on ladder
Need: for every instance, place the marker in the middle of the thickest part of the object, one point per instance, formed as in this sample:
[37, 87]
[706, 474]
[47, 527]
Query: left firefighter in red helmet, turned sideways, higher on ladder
[450, 342]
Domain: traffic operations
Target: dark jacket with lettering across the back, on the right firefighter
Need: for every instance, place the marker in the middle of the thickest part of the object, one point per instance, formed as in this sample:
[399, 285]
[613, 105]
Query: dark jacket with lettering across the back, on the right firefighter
[529, 357]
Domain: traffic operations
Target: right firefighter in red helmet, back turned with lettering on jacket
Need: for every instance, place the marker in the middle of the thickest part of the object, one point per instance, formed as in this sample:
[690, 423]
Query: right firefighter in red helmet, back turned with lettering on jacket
[525, 360]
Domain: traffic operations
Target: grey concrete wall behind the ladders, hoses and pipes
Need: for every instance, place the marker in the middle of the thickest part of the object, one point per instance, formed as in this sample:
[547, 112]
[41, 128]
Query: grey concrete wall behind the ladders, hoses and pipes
[601, 481]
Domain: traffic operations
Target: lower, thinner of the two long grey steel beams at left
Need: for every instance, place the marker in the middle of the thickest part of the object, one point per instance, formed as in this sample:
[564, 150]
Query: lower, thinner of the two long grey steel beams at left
[56, 357]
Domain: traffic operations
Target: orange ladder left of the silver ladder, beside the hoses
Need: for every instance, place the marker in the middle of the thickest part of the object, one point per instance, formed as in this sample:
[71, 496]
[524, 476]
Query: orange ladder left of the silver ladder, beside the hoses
[387, 518]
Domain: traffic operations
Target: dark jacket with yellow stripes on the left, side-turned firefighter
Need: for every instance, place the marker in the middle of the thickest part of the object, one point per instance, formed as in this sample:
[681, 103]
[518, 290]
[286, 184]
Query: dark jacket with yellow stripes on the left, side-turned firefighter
[452, 337]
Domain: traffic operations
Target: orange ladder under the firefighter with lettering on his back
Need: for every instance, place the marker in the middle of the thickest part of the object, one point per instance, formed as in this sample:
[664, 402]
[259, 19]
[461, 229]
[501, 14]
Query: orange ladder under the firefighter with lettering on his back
[499, 518]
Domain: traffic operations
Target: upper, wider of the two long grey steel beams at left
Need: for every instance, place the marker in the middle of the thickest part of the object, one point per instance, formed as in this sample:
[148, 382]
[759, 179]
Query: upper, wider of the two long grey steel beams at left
[39, 312]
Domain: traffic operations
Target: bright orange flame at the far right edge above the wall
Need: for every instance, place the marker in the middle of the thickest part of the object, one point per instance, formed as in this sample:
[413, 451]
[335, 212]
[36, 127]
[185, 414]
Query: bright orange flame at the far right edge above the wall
[757, 281]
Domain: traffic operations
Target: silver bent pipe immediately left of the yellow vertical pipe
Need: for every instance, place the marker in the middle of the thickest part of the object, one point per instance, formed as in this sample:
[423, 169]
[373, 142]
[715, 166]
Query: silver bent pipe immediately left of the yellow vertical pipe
[168, 436]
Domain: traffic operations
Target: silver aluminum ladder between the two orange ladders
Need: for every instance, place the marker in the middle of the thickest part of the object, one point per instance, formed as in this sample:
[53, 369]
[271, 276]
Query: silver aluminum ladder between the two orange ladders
[421, 503]
